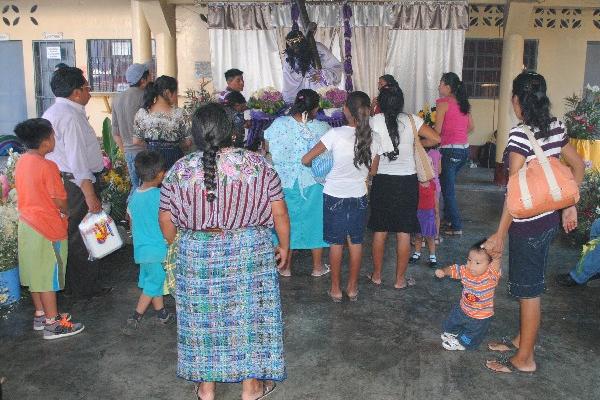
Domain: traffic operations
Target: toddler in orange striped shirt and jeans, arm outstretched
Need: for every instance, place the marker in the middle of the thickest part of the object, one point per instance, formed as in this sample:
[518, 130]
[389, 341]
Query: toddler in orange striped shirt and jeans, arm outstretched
[470, 319]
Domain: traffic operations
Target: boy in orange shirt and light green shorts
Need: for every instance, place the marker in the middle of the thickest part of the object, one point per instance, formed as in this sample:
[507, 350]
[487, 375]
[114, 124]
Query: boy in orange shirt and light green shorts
[42, 205]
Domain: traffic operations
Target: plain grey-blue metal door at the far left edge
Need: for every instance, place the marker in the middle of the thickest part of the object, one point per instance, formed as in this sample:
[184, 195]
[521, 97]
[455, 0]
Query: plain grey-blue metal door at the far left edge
[13, 104]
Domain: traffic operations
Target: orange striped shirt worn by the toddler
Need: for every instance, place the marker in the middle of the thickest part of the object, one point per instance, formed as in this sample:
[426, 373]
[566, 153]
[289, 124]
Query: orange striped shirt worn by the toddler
[477, 299]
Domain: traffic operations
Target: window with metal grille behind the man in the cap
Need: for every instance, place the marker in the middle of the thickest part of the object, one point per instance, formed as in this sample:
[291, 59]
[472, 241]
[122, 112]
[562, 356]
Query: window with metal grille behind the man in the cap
[108, 59]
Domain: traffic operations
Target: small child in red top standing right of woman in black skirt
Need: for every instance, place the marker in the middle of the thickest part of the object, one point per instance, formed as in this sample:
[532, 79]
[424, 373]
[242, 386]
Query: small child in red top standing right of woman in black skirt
[426, 217]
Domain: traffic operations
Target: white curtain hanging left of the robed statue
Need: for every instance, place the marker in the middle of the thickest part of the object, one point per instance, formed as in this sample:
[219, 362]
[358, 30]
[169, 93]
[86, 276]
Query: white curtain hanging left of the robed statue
[255, 52]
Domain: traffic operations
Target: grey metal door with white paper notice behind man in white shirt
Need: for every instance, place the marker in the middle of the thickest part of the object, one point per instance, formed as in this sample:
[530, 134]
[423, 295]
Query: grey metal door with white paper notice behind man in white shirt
[46, 55]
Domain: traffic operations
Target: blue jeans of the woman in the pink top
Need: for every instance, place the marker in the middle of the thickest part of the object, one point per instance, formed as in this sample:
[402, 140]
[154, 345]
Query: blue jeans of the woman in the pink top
[452, 161]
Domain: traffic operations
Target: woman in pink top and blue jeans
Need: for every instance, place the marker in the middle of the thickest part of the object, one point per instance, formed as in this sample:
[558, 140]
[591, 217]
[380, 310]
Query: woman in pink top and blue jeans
[453, 122]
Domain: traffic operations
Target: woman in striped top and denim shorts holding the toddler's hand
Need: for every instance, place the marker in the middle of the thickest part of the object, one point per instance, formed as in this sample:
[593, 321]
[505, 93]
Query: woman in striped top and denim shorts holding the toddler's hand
[530, 238]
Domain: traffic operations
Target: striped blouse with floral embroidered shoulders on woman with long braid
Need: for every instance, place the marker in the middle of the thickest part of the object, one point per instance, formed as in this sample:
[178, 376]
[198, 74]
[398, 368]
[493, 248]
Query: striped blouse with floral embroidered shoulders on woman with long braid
[246, 186]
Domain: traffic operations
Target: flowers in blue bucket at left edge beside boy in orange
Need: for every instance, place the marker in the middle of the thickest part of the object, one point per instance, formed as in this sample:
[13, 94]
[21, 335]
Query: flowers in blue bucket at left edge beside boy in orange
[10, 289]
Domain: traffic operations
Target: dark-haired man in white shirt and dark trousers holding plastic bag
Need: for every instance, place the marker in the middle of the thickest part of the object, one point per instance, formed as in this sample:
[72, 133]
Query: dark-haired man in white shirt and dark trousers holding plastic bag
[79, 158]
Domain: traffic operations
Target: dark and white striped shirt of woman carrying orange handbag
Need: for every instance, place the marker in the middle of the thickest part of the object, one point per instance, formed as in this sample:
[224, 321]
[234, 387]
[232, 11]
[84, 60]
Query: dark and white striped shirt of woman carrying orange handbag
[552, 146]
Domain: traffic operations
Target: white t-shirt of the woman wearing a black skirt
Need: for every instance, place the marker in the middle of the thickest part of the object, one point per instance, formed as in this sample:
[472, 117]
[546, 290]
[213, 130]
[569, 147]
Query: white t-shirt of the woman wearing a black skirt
[405, 163]
